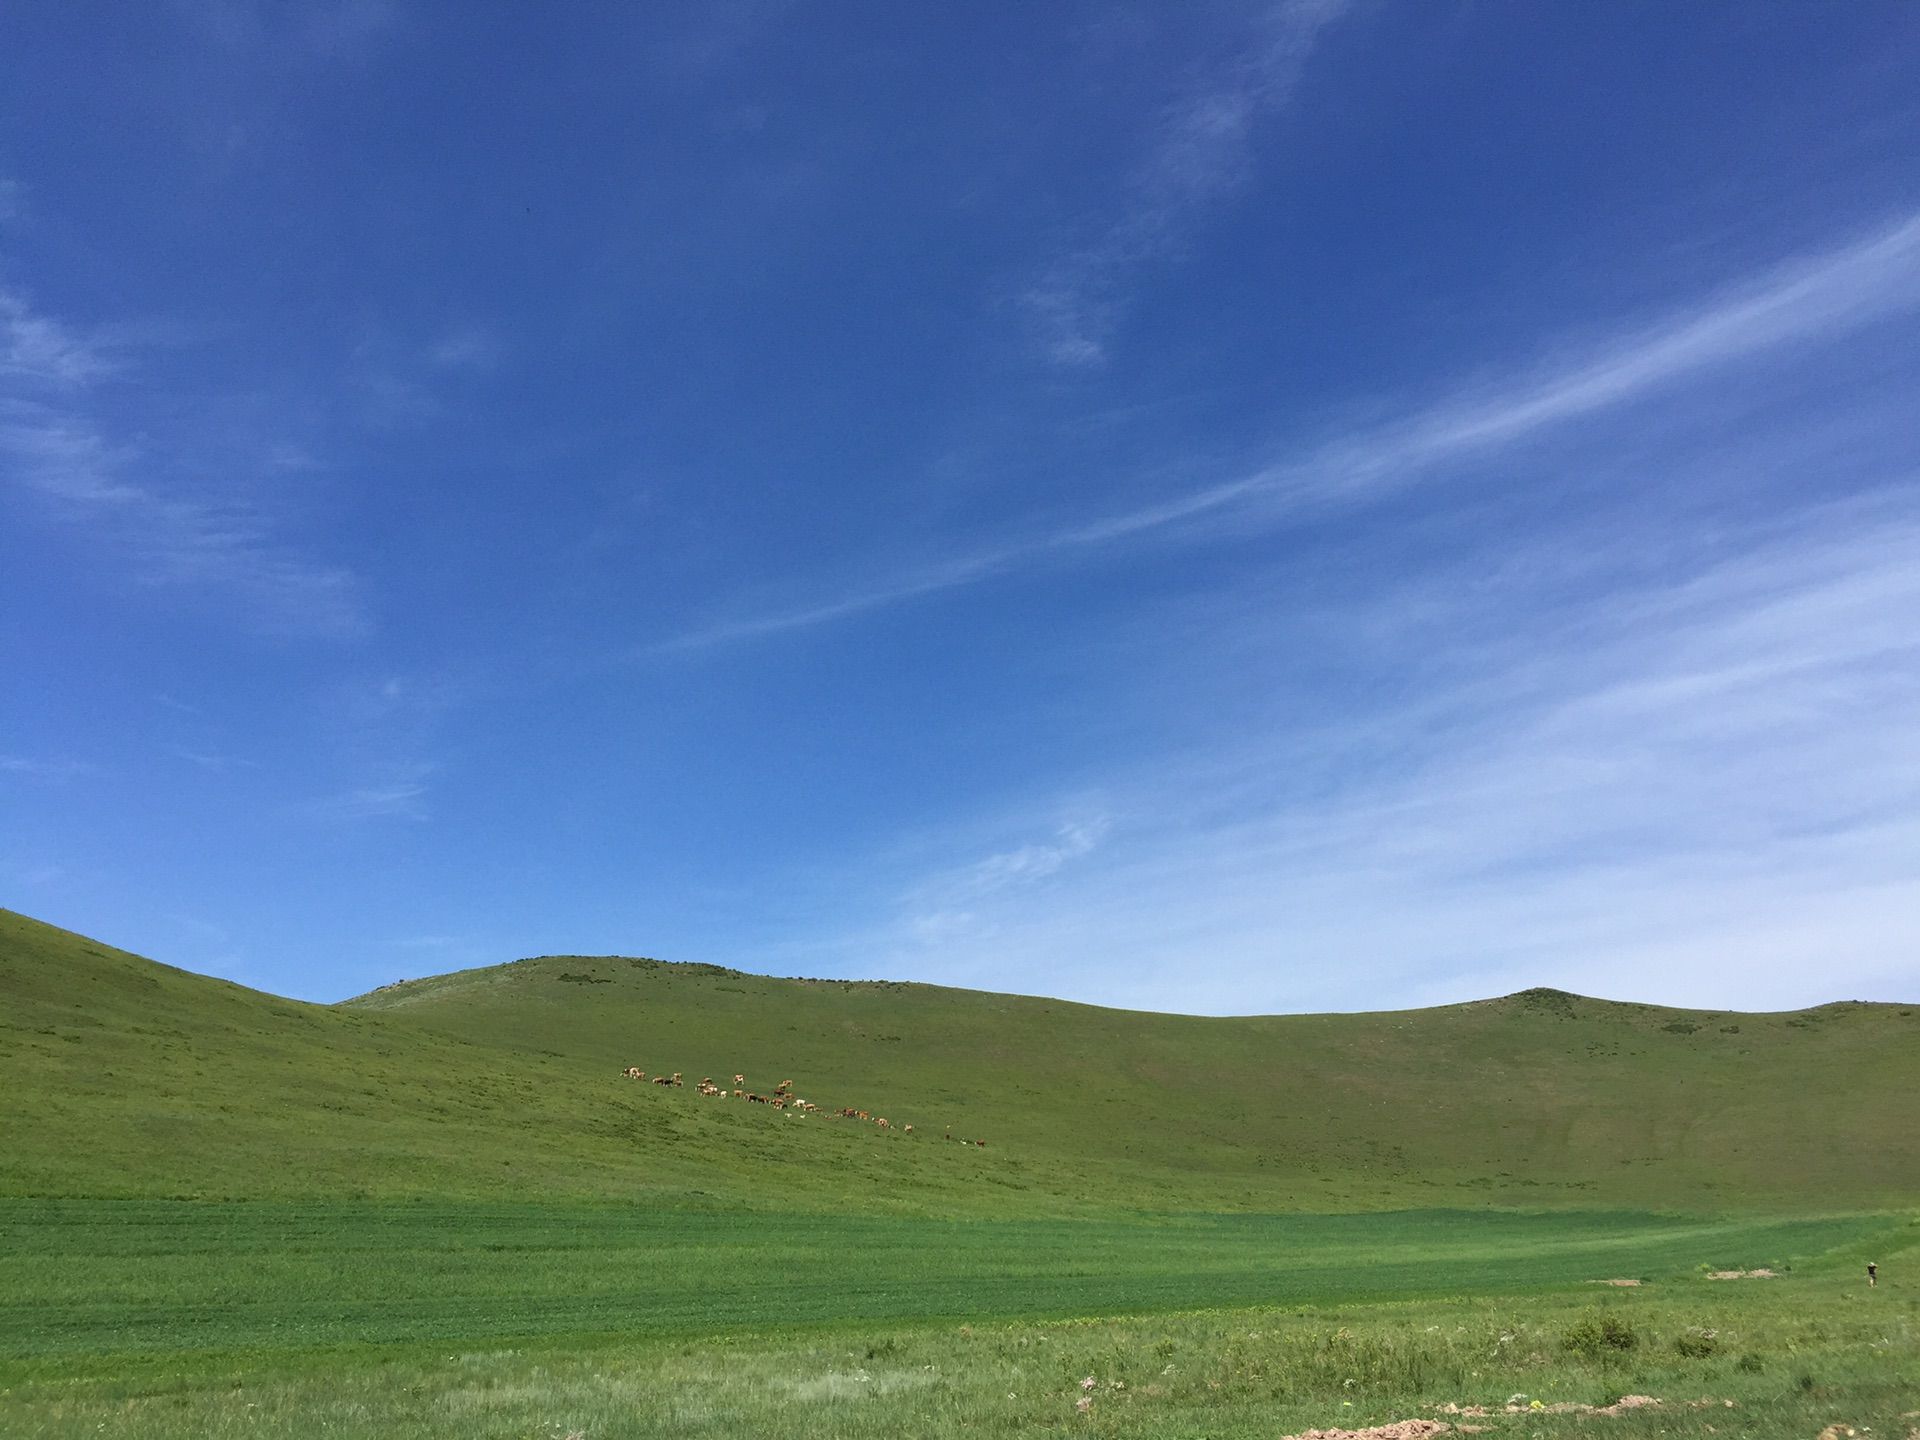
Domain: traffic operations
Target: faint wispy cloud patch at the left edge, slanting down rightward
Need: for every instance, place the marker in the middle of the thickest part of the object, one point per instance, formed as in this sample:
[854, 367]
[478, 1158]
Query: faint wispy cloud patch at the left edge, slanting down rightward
[60, 444]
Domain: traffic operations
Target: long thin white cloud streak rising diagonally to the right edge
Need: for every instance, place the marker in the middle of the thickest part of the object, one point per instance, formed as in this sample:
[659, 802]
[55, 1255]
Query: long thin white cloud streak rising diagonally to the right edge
[1802, 302]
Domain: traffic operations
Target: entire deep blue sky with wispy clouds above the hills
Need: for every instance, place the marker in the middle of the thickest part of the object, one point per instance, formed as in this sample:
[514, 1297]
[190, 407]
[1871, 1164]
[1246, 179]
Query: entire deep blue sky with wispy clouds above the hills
[1201, 508]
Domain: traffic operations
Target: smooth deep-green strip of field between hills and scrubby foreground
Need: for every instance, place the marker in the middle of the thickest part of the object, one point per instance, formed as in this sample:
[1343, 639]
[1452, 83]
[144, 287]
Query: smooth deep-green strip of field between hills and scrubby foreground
[137, 1278]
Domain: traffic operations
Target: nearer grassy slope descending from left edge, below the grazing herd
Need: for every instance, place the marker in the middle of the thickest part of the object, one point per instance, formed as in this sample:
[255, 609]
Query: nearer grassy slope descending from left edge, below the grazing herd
[128, 1078]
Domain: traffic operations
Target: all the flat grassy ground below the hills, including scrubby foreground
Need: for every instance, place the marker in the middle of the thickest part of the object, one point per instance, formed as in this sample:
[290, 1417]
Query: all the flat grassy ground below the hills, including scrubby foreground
[178, 1322]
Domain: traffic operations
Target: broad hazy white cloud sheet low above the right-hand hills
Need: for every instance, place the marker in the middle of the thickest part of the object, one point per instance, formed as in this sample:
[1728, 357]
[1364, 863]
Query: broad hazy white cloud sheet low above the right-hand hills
[1702, 792]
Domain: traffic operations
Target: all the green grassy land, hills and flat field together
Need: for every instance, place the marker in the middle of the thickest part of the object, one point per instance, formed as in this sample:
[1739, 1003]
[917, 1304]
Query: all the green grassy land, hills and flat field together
[441, 1211]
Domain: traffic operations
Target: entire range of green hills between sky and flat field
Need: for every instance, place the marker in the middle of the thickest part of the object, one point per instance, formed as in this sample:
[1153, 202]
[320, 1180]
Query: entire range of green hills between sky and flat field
[122, 1076]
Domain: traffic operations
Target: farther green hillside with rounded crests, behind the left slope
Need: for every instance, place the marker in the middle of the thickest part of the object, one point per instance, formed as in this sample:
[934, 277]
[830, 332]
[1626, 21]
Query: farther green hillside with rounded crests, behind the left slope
[1533, 1097]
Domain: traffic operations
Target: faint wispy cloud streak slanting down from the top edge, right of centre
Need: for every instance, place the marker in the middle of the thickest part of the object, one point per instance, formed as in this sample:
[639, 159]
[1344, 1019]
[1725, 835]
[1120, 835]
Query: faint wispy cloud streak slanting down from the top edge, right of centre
[1199, 153]
